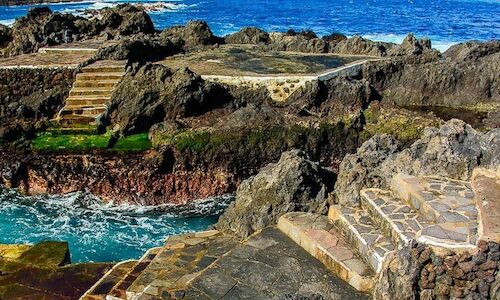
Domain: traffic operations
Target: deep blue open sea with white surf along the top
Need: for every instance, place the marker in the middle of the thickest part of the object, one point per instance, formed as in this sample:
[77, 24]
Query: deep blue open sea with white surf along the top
[446, 22]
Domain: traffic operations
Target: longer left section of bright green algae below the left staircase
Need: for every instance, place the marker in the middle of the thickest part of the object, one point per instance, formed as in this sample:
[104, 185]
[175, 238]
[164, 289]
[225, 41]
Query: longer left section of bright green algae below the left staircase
[70, 142]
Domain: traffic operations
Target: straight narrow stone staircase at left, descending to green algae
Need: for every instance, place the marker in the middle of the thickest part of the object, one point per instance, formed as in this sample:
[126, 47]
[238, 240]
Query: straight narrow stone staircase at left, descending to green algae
[91, 92]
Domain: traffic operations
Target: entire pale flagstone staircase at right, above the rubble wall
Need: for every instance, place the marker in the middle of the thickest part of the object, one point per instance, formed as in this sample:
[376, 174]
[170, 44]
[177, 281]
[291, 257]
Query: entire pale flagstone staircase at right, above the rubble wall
[354, 242]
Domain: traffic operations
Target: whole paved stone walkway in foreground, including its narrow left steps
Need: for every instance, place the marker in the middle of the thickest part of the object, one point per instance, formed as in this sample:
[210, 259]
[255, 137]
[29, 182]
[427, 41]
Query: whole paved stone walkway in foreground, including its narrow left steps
[211, 265]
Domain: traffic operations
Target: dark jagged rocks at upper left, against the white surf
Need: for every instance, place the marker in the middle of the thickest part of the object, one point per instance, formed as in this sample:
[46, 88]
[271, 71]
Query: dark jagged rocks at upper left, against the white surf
[42, 28]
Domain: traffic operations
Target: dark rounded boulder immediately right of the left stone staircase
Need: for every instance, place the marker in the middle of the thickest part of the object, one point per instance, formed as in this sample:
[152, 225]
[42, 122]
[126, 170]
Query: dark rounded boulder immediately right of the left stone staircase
[154, 93]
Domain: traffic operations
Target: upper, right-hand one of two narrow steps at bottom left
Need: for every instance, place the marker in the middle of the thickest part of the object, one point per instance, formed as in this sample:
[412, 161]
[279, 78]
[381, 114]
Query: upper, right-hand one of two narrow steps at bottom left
[119, 291]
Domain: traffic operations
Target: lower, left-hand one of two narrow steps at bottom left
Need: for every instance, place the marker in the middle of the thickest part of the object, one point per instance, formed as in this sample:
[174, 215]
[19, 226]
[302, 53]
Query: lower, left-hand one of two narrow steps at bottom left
[104, 286]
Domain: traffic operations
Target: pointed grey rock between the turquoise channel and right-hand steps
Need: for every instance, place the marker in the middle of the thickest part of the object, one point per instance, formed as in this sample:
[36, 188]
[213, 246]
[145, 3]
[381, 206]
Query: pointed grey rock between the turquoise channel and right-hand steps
[294, 183]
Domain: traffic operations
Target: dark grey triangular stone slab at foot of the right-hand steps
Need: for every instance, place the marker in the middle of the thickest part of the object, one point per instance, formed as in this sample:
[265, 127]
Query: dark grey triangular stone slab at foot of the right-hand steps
[268, 265]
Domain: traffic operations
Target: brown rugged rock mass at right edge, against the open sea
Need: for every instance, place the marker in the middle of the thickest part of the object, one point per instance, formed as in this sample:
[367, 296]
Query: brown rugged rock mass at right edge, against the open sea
[466, 76]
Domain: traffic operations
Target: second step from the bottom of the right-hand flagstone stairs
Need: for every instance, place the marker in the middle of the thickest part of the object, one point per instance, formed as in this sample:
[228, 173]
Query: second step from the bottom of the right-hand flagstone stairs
[363, 234]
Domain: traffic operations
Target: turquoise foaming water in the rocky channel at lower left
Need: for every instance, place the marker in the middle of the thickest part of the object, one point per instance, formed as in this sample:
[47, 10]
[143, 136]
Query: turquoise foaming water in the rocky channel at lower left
[98, 232]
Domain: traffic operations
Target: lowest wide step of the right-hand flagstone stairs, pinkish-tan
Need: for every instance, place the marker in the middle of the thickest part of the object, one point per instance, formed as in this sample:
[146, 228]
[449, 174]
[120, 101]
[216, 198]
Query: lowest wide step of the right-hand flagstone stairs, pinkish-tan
[316, 234]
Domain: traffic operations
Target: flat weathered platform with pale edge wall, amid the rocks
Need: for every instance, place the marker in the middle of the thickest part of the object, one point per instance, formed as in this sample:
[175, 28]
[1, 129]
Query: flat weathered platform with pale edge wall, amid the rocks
[282, 73]
